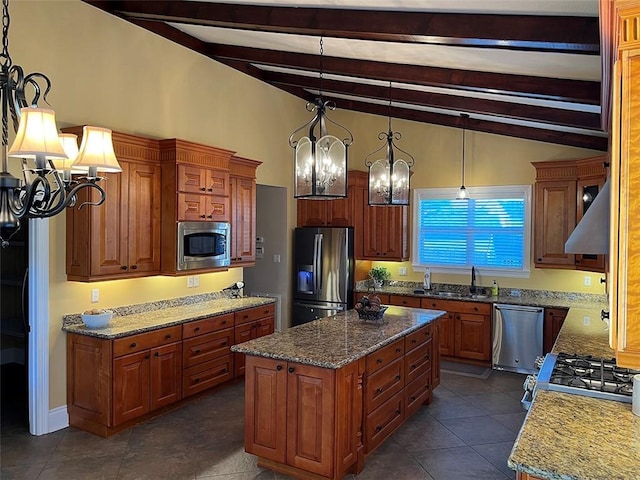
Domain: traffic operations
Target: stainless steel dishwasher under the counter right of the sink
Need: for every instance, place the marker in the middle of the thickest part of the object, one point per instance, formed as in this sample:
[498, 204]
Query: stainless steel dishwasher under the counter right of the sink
[517, 337]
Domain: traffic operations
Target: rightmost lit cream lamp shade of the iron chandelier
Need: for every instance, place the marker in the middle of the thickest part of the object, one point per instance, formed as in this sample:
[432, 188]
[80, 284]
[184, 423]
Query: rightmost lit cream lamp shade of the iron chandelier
[96, 150]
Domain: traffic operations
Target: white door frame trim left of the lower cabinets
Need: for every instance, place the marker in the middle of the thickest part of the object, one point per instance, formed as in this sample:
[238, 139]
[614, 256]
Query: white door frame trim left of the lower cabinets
[38, 335]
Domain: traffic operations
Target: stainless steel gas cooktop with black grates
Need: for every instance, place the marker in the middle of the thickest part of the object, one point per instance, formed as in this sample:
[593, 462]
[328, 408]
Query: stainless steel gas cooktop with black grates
[581, 375]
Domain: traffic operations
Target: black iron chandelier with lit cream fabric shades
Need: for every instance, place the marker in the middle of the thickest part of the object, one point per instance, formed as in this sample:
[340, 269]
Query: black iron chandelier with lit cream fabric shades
[47, 186]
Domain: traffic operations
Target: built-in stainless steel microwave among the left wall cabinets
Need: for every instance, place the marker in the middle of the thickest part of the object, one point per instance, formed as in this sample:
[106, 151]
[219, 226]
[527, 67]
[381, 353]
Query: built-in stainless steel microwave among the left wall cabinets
[203, 245]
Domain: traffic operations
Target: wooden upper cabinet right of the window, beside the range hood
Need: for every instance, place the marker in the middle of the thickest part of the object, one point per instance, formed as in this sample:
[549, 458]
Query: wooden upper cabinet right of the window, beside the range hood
[560, 192]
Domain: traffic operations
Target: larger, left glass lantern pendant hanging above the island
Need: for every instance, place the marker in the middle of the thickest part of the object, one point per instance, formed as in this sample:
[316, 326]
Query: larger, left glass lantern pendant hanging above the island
[320, 158]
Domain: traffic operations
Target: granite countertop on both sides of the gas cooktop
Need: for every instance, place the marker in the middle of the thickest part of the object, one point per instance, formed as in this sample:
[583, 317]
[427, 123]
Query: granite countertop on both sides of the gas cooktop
[573, 437]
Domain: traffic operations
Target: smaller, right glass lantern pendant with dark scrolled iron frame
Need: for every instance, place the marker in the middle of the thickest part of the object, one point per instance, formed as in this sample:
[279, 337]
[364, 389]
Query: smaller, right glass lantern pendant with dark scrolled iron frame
[389, 176]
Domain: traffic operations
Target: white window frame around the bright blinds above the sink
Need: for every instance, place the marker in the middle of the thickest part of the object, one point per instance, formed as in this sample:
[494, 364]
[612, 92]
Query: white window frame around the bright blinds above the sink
[503, 191]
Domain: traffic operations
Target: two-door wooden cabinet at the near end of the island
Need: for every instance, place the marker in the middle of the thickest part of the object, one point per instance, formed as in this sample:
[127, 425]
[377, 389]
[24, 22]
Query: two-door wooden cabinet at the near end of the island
[302, 419]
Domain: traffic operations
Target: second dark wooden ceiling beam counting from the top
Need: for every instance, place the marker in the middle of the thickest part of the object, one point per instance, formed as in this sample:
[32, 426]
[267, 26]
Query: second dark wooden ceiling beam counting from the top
[578, 91]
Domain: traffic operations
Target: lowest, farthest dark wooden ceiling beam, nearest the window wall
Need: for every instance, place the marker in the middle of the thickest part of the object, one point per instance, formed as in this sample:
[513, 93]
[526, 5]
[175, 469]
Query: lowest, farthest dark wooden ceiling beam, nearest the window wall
[538, 134]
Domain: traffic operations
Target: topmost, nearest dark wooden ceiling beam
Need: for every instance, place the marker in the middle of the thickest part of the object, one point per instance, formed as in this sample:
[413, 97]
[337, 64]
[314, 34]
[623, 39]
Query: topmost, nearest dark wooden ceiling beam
[561, 34]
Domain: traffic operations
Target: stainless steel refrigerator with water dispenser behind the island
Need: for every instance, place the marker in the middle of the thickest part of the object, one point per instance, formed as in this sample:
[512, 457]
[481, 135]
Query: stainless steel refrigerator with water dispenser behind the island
[323, 263]
